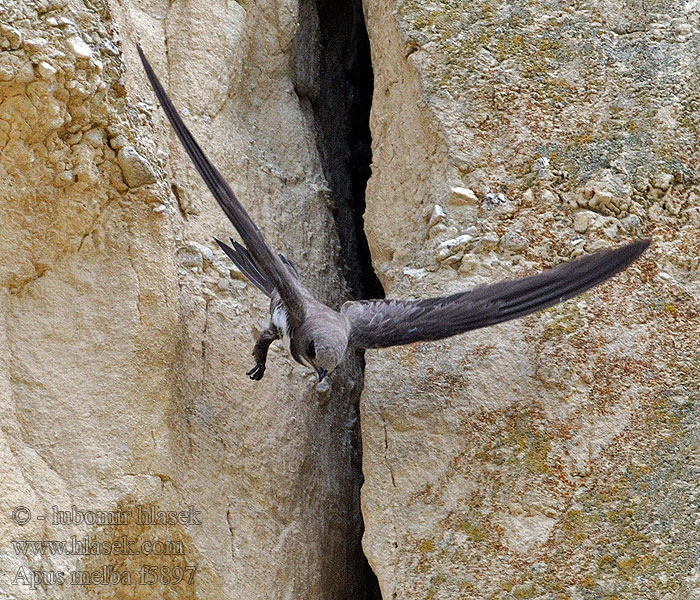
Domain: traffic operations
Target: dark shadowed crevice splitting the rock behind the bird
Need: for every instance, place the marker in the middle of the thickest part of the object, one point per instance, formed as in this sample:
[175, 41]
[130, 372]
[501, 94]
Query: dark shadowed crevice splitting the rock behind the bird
[334, 82]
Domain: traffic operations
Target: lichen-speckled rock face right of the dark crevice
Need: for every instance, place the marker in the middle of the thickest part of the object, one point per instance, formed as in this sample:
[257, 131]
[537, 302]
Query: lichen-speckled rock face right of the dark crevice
[555, 456]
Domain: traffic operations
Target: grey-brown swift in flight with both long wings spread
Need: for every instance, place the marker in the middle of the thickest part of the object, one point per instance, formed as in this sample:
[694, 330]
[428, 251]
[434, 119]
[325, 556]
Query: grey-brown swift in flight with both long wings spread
[319, 337]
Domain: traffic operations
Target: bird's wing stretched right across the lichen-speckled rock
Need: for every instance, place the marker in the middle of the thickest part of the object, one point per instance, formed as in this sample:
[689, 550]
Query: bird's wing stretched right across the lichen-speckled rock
[383, 323]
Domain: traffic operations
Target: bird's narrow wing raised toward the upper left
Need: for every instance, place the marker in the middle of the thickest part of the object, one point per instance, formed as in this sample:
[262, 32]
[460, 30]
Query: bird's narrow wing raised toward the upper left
[266, 261]
